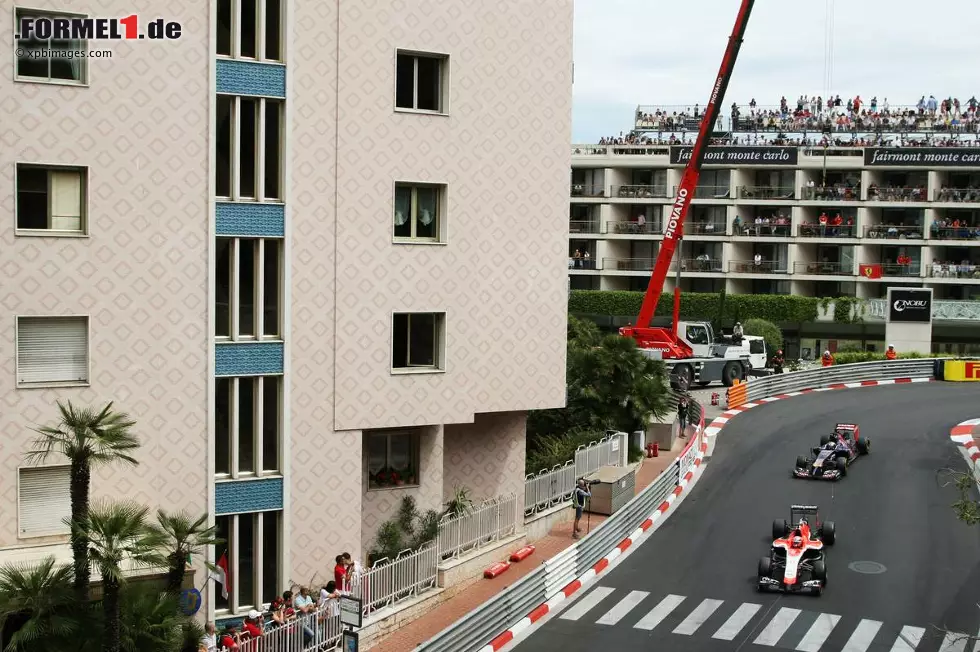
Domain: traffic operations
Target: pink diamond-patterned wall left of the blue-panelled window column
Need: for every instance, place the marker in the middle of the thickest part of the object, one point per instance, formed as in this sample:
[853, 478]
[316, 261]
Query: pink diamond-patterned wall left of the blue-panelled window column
[142, 128]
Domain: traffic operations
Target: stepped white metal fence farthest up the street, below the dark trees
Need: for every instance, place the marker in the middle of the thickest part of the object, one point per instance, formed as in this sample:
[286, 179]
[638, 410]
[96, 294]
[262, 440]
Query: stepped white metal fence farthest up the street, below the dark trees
[554, 486]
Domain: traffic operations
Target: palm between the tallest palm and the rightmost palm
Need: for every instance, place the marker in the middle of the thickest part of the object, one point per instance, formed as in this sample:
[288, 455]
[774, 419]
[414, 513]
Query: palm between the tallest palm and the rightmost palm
[118, 532]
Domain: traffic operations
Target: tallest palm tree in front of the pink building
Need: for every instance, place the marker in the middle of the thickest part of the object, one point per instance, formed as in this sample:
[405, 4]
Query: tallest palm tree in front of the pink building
[88, 439]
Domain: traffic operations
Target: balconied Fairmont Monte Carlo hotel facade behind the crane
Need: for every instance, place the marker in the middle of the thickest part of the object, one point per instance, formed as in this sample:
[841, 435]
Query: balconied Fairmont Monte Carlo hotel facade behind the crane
[763, 219]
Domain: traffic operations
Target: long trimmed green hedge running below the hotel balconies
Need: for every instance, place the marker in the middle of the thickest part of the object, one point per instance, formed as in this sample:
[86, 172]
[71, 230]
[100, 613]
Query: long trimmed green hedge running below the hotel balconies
[697, 306]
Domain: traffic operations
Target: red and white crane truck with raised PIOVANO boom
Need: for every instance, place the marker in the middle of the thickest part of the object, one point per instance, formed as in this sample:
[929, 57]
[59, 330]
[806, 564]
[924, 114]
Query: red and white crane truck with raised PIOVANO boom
[691, 350]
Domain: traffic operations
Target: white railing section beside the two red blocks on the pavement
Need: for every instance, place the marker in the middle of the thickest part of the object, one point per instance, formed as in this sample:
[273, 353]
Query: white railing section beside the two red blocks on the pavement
[493, 520]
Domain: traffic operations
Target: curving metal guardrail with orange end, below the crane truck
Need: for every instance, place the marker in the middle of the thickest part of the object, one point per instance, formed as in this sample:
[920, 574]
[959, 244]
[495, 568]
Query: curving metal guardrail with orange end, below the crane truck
[755, 389]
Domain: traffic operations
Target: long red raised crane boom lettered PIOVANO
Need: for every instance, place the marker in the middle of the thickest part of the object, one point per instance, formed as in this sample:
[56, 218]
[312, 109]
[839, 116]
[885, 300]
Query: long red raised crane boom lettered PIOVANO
[689, 181]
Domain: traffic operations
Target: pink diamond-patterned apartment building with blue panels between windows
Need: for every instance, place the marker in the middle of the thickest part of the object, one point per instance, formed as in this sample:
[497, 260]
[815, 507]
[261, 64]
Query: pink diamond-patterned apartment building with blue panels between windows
[287, 244]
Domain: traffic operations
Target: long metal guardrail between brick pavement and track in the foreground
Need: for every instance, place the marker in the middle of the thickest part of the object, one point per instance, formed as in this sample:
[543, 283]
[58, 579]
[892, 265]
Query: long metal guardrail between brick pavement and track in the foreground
[475, 630]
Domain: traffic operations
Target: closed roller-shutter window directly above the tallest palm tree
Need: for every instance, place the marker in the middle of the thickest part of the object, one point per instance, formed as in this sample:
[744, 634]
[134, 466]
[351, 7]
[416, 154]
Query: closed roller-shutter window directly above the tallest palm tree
[52, 351]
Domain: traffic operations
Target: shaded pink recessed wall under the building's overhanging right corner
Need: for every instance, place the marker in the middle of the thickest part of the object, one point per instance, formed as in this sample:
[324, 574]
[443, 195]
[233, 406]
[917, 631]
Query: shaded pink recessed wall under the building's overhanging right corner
[487, 456]
